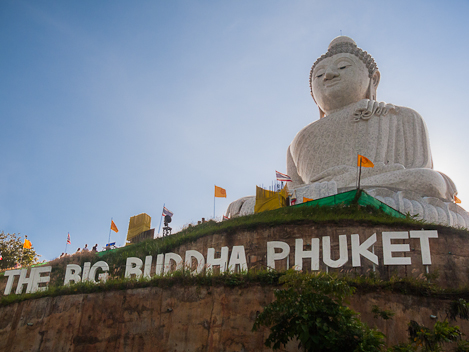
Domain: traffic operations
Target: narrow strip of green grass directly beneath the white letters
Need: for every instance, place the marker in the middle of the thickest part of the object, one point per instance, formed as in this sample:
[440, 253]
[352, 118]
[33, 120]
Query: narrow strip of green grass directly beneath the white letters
[362, 283]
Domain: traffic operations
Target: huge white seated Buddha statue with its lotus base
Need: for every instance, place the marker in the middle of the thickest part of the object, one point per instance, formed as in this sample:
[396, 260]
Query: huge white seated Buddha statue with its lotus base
[322, 158]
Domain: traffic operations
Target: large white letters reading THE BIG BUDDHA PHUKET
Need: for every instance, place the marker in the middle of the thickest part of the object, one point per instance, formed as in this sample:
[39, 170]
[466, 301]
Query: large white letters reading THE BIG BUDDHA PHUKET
[235, 261]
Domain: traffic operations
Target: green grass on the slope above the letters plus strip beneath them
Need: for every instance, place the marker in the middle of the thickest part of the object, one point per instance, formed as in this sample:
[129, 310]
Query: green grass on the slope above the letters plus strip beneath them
[320, 216]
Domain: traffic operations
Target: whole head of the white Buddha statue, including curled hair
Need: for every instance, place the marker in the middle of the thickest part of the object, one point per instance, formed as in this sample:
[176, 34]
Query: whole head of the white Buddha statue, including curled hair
[344, 75]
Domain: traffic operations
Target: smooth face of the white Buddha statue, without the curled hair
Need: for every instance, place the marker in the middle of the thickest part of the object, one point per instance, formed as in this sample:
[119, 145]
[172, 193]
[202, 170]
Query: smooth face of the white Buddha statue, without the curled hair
[338, 81]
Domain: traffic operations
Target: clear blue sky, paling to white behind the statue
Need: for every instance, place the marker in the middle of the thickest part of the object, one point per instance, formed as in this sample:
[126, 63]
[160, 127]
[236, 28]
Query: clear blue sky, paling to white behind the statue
[109, 109]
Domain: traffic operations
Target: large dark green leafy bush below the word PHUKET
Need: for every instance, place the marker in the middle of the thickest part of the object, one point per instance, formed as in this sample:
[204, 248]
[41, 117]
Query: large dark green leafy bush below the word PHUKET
[310, 308]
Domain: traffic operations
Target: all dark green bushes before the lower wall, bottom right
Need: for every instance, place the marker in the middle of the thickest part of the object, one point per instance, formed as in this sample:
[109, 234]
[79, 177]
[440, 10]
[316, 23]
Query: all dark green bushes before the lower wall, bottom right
[311, 310]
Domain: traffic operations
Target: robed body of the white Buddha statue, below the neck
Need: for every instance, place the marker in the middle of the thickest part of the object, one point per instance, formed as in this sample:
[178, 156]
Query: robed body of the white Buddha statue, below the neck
[397, 144]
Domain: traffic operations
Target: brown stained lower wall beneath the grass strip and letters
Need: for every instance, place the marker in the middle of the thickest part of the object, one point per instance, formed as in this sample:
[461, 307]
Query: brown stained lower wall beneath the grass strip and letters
[178, 319]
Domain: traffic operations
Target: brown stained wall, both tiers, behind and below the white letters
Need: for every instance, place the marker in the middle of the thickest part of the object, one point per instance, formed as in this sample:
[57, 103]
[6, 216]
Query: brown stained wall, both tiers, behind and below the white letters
[221, 318]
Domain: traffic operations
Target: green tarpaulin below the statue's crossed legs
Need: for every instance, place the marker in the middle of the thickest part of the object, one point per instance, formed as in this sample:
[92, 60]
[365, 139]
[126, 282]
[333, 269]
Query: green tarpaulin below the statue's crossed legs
[347, 198]
